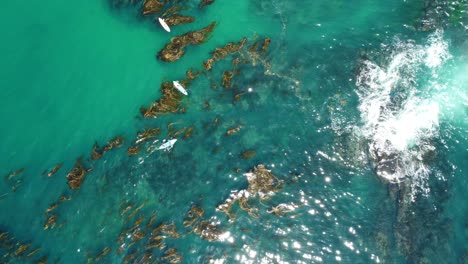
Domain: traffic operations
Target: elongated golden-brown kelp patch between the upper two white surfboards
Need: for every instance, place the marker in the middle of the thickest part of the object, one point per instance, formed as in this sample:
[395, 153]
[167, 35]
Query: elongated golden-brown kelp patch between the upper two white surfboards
[174, 50]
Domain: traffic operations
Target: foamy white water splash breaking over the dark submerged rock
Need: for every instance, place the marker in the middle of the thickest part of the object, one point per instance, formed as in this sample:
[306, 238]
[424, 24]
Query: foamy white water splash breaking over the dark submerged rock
[400, 110]
